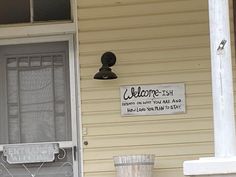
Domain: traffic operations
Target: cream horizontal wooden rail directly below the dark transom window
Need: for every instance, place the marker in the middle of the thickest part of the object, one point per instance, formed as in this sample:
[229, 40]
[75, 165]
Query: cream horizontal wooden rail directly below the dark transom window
[29, 30]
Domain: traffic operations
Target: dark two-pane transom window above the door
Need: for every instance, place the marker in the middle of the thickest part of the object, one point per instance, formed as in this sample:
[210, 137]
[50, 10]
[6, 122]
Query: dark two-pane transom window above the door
[25, 11]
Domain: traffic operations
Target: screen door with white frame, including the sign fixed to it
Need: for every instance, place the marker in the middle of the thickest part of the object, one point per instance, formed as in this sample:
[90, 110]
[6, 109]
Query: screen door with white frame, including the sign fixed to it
[35, 109]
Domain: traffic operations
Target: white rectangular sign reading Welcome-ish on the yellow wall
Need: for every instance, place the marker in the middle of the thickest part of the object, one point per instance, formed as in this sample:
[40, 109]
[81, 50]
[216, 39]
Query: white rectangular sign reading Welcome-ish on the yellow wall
[152, 99]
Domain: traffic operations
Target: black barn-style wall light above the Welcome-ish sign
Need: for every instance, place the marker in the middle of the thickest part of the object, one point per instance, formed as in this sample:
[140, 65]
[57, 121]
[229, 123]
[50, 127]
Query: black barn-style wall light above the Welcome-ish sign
[108, 59]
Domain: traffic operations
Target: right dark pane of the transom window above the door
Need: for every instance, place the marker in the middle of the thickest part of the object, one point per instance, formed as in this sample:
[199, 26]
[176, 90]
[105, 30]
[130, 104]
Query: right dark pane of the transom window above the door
[47, 10]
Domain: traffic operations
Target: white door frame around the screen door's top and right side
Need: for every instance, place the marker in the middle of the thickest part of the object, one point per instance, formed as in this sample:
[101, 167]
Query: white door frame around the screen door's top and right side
[74, 91]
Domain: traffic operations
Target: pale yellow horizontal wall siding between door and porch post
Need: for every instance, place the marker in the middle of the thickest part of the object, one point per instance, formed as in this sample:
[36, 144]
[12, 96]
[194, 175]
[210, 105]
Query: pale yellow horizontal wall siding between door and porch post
[155, 41]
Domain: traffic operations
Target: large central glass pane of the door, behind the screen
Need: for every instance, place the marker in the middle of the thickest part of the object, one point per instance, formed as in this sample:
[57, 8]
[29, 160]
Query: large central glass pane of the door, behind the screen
[36, 102]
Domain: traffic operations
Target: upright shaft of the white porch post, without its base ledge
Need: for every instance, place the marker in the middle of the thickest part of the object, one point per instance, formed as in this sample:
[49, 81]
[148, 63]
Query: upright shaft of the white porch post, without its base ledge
[222, 82]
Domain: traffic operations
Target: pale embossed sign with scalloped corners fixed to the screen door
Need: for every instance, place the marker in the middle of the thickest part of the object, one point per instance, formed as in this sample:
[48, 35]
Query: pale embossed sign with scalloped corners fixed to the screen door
[30, 153]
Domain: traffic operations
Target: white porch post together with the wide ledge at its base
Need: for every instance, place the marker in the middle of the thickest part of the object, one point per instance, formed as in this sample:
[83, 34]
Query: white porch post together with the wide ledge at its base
[224, 162]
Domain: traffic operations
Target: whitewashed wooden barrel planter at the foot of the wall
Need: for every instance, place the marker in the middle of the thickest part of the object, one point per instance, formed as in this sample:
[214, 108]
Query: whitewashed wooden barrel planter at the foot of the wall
[134, 165]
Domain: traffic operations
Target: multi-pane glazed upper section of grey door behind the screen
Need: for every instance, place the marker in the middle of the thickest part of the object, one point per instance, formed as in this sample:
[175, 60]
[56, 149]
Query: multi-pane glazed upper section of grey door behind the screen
[37, 102]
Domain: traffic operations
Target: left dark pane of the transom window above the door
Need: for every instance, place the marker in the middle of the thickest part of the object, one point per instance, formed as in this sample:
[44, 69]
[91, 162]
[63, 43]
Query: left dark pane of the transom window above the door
[14, 11]
